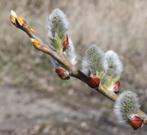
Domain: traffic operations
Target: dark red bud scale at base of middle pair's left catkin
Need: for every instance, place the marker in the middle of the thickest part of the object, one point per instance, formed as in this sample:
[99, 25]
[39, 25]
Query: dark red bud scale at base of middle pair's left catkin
[93, 81]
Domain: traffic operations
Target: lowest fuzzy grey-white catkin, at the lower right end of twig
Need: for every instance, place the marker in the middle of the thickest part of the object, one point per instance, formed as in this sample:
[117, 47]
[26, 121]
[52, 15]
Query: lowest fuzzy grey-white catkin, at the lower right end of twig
[125, 105]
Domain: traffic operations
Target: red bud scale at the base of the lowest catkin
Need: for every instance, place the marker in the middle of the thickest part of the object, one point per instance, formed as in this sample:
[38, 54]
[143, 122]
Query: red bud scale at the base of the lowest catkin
[136, 122]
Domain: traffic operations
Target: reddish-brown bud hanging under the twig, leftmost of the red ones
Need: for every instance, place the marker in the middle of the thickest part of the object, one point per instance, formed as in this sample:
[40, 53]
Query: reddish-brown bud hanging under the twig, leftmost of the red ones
[62, 73]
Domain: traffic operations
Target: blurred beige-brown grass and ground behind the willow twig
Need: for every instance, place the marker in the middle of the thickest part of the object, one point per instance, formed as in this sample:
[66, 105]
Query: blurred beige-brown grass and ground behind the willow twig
[34, 101]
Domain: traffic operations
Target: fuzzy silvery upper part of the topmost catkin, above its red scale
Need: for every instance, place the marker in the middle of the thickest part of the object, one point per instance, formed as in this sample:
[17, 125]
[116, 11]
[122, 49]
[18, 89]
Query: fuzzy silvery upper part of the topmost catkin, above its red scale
[57, 23]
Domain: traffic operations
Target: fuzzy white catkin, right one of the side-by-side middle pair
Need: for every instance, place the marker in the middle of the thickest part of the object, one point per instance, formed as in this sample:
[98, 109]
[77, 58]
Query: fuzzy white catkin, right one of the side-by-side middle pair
[114, 64]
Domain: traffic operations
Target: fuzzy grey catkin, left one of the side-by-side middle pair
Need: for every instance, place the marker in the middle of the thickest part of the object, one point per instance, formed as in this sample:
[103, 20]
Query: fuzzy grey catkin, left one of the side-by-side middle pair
[93, 60]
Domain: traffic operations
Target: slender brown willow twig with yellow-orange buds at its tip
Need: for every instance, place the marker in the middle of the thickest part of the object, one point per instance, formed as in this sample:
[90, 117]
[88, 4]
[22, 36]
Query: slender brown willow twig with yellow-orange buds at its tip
[20, 23]
